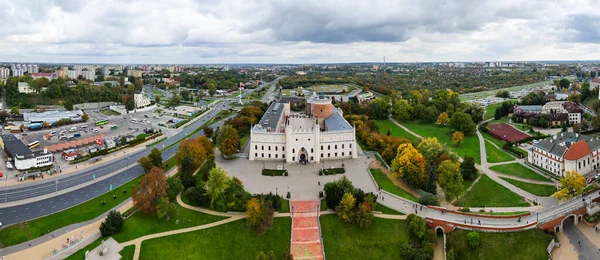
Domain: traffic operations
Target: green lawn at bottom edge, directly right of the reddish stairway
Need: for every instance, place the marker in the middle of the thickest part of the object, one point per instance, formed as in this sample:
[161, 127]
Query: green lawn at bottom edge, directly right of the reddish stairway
[348, 241]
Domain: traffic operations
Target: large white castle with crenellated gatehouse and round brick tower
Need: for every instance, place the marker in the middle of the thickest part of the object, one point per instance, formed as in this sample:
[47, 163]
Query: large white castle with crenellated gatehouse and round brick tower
[321, 133]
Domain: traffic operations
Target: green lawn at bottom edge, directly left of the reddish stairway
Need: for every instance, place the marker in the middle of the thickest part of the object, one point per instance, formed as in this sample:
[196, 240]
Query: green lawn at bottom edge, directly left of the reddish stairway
[229, 241]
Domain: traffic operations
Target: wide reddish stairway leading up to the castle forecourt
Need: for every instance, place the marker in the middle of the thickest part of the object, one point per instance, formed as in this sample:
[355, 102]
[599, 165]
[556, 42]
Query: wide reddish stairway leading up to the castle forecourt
[306, 231]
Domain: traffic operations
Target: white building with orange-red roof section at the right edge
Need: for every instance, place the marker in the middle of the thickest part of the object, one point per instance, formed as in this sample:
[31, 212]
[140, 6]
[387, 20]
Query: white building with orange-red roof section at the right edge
[566, 152]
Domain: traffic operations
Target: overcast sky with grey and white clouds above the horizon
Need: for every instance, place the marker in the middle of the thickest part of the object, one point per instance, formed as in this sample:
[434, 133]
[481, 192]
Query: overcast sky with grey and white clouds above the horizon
[282, 31]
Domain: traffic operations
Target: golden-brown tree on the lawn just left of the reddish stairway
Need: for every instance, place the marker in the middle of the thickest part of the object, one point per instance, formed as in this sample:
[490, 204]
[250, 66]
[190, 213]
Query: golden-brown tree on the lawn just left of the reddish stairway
[259, 215]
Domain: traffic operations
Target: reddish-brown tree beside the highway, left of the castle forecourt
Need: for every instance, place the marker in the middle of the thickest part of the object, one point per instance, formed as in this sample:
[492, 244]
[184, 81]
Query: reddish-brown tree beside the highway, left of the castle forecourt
[151, 189]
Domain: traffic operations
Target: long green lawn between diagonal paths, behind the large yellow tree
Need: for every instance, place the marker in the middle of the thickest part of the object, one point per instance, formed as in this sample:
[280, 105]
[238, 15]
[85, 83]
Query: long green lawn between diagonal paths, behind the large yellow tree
[469, 147]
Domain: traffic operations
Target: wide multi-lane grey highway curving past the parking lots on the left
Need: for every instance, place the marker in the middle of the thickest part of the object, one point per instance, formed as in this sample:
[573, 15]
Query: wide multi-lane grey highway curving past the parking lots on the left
[27, 211]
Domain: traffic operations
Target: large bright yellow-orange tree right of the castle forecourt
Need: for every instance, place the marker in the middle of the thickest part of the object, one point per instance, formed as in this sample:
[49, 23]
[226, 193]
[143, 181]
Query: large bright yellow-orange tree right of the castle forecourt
[409, 164]
